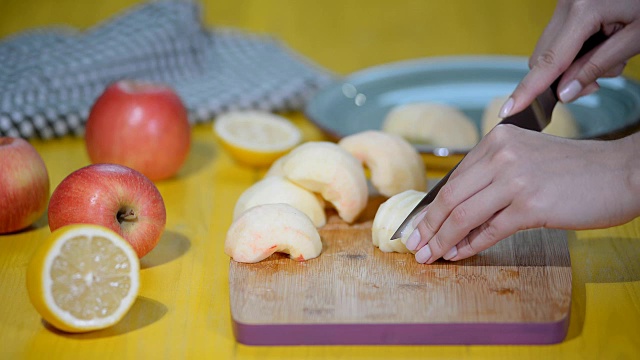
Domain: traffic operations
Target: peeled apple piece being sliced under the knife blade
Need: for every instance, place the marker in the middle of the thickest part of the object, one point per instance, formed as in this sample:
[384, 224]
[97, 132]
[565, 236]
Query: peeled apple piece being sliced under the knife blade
[389, 216]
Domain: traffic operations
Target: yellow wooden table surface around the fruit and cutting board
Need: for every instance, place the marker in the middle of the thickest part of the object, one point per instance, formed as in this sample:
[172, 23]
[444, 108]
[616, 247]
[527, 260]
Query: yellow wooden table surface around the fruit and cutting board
[183, 307]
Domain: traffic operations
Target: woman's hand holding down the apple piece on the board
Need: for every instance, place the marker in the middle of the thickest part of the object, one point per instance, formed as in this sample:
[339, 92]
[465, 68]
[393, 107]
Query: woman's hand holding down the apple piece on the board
[517, 179]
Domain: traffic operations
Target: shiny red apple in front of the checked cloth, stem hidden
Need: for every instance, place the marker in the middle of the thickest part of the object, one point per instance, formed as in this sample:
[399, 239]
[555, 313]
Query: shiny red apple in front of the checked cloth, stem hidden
[140, 125]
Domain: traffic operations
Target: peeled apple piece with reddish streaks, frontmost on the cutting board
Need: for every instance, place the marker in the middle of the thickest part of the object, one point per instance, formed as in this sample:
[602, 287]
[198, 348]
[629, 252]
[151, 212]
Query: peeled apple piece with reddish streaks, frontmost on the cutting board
[266, 229]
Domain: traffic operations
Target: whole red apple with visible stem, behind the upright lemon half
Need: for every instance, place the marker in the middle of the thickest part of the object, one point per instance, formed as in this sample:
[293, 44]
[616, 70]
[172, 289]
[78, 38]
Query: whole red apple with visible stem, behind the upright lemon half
[113, 196]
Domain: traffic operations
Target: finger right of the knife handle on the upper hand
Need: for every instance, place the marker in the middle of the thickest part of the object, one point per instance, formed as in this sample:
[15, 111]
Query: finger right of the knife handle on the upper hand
[608, 57]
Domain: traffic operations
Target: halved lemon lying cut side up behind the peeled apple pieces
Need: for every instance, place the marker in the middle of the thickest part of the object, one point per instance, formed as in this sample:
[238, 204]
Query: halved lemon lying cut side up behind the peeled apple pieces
[256, 138]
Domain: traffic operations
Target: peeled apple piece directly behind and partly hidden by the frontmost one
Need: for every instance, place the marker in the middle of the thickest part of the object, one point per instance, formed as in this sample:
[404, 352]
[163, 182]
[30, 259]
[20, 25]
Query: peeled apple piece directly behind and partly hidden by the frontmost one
[276, 189]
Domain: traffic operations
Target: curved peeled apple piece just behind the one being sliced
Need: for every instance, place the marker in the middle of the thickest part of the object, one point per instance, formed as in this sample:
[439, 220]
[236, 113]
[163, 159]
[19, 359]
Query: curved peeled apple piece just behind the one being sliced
[394, 163]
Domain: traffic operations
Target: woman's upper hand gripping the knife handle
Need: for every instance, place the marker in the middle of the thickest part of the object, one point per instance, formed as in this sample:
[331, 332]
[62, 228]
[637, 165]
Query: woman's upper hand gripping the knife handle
[573, 22]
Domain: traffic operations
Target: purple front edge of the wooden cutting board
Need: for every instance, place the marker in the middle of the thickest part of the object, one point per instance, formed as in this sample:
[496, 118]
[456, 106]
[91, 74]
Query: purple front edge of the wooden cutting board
[402, 334]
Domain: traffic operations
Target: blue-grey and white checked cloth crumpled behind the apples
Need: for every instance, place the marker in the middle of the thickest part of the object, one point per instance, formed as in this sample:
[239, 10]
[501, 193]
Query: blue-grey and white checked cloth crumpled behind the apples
[50, 78]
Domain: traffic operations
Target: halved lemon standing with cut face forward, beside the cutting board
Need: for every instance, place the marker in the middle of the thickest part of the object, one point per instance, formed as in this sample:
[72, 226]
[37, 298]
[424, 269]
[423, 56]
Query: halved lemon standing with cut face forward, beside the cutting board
[83, 277]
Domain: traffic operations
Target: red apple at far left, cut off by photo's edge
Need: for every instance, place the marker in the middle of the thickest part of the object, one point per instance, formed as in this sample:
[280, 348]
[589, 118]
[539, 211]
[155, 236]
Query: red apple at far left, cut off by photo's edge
[24, 184]
